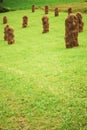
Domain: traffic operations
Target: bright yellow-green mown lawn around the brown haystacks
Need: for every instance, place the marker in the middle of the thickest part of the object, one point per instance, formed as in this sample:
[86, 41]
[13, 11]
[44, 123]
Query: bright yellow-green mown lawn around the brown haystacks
[43, 85]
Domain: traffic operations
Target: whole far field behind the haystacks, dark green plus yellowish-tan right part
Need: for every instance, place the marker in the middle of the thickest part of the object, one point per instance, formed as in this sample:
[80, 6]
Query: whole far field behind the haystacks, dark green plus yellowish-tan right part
[63, 5]
